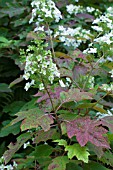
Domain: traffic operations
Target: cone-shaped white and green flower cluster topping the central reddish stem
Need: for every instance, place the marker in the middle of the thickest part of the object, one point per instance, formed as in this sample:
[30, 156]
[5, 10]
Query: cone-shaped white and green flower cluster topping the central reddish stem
[39, 64]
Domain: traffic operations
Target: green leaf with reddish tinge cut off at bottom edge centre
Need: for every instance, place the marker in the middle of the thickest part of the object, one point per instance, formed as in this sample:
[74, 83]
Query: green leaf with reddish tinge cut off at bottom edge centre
[59, 163]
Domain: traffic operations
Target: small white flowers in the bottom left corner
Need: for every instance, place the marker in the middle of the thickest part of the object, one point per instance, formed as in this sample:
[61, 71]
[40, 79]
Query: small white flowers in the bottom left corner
[7, 167]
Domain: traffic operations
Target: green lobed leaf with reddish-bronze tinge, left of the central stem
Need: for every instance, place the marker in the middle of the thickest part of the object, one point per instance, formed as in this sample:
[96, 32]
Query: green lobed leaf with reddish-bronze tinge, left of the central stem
[33, 118]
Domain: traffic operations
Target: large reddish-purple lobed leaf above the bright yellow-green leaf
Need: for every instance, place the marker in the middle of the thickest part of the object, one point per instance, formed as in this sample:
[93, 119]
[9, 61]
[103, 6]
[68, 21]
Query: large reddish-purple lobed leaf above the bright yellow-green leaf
[87, 130]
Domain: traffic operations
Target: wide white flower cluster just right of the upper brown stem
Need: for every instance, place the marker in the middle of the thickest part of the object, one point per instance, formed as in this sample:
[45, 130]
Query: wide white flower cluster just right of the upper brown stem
[72, 36]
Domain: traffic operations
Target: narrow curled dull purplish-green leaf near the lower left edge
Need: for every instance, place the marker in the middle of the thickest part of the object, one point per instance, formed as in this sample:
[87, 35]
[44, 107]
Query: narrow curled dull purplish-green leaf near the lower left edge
[15, 147]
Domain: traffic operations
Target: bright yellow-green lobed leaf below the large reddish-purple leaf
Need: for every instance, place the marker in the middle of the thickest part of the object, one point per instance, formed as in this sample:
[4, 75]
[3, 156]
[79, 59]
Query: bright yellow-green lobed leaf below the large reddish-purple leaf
[80, 152]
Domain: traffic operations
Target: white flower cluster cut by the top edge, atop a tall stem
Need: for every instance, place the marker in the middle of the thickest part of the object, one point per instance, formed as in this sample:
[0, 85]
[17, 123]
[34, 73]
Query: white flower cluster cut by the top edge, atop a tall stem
[44, 10]
